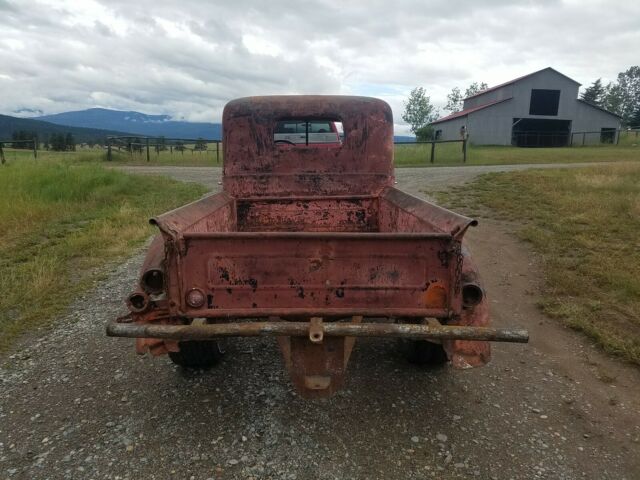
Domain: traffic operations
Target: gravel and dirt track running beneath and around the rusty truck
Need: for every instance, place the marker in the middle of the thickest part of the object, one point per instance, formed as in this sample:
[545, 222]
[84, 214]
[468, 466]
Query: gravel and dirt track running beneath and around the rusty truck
[75, 404]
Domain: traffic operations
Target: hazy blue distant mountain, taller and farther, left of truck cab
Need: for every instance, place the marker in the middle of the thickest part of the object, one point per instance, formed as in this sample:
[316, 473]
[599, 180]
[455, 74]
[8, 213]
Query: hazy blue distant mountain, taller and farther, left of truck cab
[136, 123]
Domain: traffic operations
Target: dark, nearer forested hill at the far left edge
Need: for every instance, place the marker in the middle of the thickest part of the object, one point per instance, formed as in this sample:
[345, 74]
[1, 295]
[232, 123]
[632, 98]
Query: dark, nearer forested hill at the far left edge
[9, 124]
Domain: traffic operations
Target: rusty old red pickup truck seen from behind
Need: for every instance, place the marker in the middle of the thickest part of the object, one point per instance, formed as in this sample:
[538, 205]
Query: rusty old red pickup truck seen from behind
[310, 242]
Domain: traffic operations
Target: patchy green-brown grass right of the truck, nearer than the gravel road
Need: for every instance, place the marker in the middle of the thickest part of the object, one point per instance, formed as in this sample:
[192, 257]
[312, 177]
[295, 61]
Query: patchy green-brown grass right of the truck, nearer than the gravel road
[586, 225]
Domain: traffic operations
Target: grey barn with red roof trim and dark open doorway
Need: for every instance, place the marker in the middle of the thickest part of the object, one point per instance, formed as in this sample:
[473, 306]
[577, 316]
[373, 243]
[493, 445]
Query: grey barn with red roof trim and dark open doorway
[541, 109]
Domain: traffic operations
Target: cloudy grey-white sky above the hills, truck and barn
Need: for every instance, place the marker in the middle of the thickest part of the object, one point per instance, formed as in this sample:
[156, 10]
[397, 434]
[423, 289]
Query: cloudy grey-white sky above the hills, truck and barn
[188, 58]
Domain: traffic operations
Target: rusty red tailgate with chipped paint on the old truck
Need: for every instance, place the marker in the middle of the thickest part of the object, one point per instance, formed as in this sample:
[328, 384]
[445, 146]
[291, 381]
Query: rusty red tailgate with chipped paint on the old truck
[245, 274]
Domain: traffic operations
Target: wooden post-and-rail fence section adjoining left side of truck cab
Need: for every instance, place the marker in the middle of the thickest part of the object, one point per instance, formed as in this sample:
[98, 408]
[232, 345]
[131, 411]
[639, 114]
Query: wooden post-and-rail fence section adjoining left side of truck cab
[136, 144]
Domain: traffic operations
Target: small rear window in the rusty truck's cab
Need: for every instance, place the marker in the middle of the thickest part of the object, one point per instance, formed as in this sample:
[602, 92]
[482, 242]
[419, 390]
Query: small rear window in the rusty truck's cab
[308, 133]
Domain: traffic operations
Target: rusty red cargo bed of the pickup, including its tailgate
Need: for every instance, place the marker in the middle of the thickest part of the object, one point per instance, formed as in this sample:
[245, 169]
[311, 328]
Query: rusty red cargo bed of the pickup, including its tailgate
[386, 255]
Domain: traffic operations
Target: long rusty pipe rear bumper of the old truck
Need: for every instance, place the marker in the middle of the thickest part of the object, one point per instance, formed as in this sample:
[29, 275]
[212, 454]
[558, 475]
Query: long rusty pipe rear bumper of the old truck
[311, 330]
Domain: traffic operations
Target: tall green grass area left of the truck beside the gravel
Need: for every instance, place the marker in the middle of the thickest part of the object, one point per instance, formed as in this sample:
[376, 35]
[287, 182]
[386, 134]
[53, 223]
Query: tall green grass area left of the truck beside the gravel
[62, 222]
